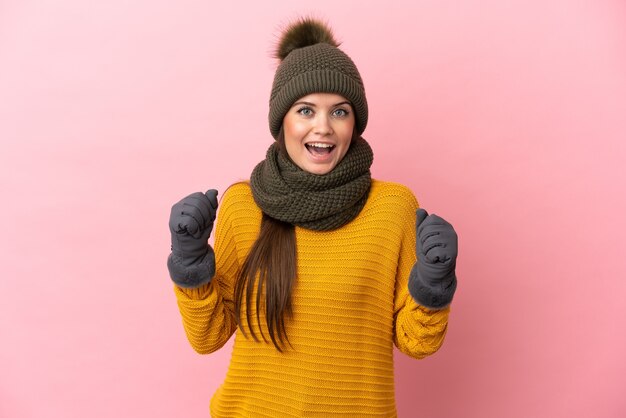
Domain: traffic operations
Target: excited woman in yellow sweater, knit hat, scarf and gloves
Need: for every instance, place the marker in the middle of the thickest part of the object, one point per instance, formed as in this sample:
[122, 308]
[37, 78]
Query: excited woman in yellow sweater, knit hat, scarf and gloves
[334, 266]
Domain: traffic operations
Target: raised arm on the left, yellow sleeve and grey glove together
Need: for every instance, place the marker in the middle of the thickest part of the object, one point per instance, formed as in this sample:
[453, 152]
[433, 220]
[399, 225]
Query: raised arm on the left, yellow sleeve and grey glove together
[203, 286]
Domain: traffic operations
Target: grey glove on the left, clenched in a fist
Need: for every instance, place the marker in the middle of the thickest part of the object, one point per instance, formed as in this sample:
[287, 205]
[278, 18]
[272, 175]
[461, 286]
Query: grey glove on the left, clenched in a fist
[192, 261]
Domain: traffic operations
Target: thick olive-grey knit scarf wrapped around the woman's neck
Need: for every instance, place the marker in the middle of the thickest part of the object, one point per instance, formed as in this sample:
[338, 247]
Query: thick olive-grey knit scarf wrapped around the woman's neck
[319, 202]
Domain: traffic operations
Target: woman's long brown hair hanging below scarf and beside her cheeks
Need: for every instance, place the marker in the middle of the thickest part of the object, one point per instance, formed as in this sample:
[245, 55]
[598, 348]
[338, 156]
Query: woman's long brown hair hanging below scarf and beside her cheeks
[274, 257]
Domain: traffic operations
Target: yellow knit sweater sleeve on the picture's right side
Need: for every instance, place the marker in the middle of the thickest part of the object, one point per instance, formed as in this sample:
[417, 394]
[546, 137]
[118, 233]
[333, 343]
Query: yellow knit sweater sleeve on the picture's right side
[418, 331]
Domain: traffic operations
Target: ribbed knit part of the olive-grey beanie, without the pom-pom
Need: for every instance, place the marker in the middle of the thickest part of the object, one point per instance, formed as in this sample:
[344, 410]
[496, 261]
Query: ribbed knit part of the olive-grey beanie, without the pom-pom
[319, 68]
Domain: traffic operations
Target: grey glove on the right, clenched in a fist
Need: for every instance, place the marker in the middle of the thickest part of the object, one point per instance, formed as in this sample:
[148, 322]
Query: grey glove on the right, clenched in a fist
[432, 281]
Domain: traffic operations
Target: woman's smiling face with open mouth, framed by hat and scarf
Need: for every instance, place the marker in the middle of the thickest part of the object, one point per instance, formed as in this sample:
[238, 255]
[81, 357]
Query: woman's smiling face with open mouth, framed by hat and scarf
[318, 130]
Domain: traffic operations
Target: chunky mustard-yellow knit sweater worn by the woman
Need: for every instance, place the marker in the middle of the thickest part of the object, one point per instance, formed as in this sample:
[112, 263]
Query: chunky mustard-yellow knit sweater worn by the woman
[351, 305]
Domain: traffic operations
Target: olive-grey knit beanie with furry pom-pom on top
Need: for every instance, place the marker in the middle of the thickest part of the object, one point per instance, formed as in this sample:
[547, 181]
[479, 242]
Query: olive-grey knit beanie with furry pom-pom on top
[311, 62]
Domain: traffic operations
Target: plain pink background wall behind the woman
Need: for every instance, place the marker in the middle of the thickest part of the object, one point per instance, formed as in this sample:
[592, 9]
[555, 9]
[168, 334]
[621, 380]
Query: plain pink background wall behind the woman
[507, 118]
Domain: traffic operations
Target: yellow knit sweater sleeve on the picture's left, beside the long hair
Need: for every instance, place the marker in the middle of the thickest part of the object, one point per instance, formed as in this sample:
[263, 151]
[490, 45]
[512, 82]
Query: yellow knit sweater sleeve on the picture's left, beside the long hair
[208, 311]
